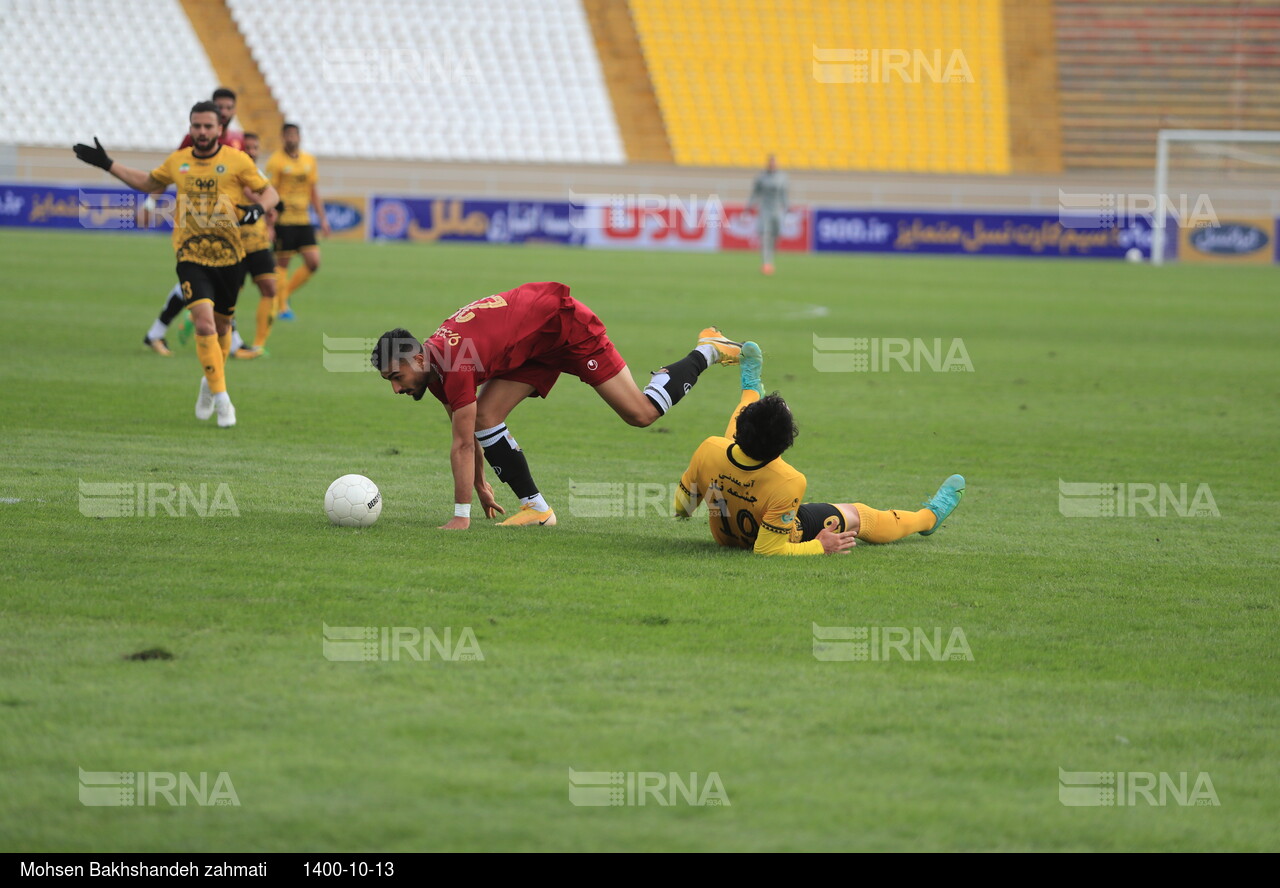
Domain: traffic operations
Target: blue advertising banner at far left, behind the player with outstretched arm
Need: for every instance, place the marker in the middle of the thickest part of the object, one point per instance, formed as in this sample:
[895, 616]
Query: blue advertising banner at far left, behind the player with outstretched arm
[92, 209]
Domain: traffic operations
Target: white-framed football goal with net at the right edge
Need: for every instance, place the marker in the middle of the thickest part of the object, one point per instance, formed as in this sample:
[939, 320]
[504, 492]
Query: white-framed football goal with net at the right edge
[1218, 194]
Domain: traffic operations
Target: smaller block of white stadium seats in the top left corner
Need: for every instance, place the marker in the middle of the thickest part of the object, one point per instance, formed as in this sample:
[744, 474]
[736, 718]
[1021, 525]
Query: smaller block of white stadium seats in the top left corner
[93, 67]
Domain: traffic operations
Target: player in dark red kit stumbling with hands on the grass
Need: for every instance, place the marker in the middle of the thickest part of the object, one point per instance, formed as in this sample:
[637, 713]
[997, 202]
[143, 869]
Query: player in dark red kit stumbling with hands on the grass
[518, 345]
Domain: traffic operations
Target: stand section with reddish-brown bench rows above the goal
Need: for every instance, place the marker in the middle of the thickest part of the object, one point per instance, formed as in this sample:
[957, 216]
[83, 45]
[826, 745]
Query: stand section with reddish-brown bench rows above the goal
[1130, 68]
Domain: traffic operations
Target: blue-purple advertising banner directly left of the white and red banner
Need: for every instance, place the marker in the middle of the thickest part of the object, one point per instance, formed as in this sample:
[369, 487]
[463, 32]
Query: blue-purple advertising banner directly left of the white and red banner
[429, 219]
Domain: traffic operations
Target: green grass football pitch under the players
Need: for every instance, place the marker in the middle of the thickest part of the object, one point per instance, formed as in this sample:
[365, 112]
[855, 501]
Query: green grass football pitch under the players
[633, 644]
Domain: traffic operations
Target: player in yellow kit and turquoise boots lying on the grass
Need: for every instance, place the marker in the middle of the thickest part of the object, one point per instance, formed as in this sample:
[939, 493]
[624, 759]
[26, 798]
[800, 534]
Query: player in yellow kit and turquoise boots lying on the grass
[755, 497]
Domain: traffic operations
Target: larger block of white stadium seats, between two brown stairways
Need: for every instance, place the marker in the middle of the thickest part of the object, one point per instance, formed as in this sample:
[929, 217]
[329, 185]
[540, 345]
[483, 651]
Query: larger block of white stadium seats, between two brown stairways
[476, 80]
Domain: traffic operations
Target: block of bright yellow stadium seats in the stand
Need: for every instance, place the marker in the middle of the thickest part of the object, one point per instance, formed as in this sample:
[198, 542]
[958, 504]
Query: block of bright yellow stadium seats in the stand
[733, 109]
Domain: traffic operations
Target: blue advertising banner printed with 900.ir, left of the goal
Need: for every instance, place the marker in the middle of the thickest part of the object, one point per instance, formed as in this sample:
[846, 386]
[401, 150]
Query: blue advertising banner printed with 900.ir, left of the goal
[976, 235]
